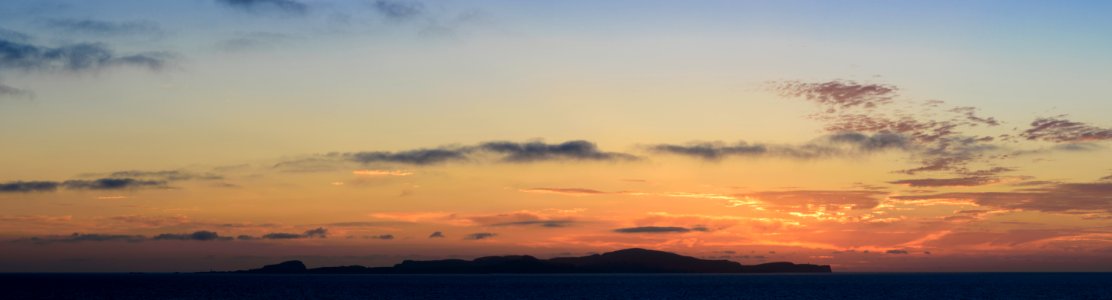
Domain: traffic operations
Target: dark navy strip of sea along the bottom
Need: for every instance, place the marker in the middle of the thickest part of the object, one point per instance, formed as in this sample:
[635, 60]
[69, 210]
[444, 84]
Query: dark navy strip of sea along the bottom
[838, 286]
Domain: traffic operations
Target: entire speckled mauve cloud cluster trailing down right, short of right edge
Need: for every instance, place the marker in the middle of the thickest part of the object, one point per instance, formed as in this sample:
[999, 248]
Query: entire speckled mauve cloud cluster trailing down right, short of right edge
[937, 137]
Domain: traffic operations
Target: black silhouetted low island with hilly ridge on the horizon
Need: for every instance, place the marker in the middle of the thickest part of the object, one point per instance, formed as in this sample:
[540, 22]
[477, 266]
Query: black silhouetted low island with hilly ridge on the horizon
[622, 262]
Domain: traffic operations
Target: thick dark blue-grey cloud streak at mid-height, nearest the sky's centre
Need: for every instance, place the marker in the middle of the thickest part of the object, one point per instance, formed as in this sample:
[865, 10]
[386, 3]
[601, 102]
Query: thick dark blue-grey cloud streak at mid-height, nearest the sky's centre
[541, 152]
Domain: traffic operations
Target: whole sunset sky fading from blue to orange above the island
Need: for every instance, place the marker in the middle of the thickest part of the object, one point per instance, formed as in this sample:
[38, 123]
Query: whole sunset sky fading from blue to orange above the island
[870, 136]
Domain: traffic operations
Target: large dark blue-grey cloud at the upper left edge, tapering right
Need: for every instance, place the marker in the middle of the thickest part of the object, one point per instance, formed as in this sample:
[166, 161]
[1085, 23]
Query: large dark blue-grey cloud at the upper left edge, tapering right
[78, 57]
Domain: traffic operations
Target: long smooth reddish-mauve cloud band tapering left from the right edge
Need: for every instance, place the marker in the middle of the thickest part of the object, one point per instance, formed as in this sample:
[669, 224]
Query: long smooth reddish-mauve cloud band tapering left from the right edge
[1095, 197]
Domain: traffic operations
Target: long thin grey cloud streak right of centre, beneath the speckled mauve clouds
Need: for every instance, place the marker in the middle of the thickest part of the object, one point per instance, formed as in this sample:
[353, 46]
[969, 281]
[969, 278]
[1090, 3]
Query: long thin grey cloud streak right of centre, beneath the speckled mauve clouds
[838, 145]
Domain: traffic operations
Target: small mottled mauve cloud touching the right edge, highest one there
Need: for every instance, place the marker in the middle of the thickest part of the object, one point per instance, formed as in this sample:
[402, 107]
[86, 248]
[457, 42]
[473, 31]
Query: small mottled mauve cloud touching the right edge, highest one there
[1057, 129]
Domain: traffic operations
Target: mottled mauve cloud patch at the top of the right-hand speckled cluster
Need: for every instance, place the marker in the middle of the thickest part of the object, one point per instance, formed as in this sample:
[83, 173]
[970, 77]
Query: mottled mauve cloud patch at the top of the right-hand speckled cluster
[839, 94]
